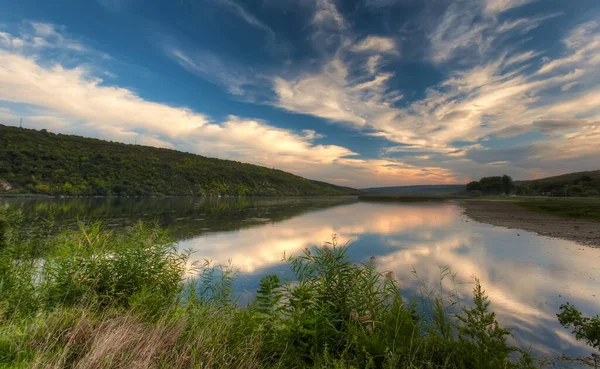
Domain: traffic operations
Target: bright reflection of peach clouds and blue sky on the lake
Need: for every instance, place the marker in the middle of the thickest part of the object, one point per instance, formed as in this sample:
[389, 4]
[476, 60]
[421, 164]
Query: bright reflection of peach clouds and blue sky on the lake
[526, 276]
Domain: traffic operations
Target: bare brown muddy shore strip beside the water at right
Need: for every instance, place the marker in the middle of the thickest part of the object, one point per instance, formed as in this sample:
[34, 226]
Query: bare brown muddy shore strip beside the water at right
[510, 215]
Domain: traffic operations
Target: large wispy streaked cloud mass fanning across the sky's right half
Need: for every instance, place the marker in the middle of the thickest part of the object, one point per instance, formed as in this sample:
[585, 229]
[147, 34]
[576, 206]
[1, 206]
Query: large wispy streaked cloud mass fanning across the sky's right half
[500, 94]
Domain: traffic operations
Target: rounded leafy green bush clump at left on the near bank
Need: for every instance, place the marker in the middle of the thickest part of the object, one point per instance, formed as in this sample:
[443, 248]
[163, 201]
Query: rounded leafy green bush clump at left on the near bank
[111, 269]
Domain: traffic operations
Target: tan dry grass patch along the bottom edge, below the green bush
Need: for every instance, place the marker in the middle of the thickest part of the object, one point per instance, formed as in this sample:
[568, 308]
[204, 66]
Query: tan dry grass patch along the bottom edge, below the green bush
[126, 342]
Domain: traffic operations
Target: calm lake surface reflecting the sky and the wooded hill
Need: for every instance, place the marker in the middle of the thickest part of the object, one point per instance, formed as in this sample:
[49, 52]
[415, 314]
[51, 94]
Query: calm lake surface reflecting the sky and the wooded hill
[526, 276]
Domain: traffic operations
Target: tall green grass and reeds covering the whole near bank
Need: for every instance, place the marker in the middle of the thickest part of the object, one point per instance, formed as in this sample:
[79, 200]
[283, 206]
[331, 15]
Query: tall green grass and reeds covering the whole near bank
[100, 299]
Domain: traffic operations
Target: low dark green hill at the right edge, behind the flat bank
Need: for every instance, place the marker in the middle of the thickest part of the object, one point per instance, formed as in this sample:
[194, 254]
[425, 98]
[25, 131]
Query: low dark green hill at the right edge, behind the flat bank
[570, 184]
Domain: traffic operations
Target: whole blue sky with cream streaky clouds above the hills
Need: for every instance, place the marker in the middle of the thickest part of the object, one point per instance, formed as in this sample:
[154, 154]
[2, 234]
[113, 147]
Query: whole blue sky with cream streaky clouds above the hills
[359, 93]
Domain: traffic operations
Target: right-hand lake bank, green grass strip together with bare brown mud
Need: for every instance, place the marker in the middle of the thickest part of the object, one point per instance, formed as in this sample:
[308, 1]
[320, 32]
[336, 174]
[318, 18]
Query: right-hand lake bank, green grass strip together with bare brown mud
[557, 218]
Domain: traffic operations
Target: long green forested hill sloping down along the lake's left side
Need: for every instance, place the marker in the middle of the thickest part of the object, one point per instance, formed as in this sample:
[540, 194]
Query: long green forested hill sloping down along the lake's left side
[45, 163]
